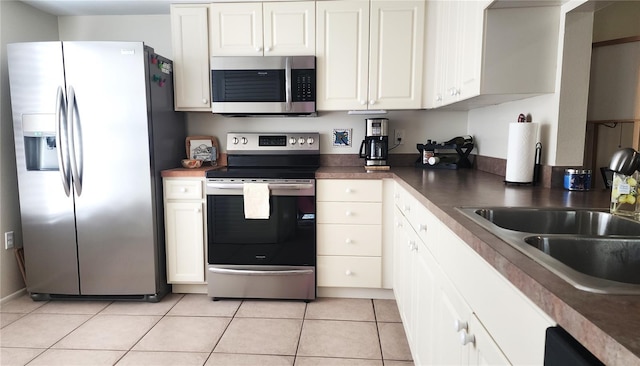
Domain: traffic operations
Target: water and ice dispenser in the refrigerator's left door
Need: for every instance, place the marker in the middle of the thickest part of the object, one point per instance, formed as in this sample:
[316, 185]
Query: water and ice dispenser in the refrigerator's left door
[40, 147]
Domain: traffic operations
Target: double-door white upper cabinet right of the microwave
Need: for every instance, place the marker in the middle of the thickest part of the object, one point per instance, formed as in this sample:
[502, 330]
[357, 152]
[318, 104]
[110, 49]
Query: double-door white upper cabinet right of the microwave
[369, 54]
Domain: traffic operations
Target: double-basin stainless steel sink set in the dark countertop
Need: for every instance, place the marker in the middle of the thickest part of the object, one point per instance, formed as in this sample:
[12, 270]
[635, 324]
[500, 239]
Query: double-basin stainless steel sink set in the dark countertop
[593, 250]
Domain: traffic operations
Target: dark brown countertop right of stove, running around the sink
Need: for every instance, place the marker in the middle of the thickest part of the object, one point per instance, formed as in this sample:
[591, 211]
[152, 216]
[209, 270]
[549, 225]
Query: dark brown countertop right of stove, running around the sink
[608, 325]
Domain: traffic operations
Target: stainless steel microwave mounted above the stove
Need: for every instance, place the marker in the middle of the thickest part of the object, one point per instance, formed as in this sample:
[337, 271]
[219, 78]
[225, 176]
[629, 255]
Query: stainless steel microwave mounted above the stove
[271, 85]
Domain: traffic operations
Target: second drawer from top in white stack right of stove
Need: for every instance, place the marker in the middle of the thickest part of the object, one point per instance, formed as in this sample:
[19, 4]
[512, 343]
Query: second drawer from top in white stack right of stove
[349, 213]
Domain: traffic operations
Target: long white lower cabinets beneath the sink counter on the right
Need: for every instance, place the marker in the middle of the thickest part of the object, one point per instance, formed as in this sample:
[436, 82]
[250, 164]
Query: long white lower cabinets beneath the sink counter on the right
[456, 308]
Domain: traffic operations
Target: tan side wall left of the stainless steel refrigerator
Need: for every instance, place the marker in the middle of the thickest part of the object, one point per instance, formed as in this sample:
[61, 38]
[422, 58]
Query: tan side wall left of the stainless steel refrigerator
[18, 23]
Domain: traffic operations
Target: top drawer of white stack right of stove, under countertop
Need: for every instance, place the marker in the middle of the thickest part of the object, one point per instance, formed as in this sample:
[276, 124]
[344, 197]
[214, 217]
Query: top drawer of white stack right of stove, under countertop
[349, 190]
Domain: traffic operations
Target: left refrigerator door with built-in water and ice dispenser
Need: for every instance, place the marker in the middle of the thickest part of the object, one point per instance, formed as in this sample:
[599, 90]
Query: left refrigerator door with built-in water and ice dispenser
[48, 226]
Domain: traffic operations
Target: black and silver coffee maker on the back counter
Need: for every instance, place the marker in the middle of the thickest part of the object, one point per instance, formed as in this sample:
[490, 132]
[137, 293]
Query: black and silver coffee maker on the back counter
[374, 147]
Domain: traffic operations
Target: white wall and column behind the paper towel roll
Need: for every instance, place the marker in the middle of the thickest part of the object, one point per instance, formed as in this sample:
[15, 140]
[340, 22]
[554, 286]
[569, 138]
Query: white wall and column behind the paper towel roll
[562, 114]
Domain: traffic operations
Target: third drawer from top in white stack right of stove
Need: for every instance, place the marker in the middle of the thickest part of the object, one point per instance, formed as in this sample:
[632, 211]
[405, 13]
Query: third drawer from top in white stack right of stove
[335, 239]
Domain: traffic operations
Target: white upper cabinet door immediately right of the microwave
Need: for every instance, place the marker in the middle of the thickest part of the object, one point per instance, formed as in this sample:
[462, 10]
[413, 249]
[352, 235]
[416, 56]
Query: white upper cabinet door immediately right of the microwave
[342, 54]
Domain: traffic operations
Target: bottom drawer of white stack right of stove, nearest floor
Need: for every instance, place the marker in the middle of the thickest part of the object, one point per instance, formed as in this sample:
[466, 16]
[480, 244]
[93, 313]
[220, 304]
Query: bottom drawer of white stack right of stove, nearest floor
[337, 271]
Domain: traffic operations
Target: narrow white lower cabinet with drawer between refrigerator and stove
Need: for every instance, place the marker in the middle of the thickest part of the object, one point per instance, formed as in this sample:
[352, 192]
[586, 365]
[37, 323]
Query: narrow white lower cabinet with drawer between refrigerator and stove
[184, 210]
